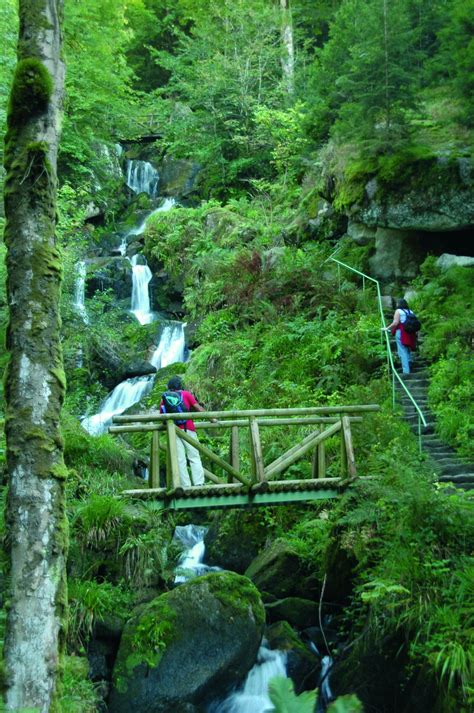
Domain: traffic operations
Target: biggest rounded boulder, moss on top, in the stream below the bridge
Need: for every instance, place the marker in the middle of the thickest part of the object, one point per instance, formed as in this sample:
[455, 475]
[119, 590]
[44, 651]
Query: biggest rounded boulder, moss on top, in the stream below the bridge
[188, 646]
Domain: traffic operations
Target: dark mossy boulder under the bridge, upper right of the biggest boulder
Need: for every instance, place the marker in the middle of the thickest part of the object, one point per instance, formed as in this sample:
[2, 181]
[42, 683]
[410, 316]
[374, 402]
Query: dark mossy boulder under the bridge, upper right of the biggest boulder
[278, 570]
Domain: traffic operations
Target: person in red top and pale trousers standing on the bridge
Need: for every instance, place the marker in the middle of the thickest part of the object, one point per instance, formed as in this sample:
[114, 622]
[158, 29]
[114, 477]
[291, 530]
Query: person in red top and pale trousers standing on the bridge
[177, 400]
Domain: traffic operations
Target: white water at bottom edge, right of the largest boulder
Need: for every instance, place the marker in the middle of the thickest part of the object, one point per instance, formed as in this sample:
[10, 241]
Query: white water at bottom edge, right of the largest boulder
[252, 696]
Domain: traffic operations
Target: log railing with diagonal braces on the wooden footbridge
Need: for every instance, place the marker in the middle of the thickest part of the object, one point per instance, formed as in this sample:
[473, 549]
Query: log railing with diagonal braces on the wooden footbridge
[326, 420]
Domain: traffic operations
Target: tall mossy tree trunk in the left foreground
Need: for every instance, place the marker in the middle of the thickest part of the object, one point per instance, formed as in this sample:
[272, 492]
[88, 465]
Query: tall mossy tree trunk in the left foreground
[34, 383]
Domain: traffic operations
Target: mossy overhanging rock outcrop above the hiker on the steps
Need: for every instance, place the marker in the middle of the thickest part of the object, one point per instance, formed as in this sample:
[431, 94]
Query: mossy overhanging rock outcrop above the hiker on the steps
[427, 206]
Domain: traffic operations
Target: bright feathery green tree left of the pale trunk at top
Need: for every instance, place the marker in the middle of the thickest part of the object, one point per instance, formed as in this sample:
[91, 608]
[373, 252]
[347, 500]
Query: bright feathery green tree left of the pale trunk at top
[221, 73]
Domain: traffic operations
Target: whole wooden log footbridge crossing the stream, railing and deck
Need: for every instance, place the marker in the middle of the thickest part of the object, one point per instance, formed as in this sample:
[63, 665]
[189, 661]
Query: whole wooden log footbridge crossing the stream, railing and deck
[248, 478]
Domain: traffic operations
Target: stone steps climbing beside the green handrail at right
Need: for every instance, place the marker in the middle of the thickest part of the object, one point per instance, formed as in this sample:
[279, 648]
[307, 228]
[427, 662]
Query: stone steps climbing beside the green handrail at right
[449, 466]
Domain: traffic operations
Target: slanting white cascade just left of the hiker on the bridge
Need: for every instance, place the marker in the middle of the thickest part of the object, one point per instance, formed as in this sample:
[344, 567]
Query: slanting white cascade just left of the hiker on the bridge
[124, 395]
